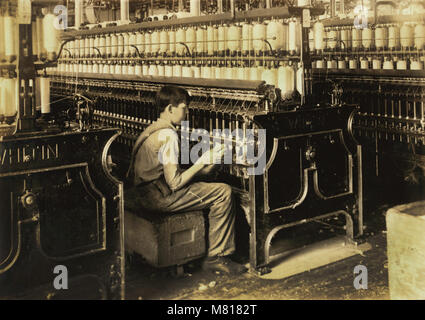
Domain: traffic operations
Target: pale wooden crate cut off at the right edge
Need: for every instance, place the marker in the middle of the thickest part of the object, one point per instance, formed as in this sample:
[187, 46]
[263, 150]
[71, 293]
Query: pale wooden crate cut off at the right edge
[406, 251]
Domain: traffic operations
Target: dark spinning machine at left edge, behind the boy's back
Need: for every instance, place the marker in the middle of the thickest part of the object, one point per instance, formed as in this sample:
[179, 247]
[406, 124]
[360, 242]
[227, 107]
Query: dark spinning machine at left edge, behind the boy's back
[60, 207]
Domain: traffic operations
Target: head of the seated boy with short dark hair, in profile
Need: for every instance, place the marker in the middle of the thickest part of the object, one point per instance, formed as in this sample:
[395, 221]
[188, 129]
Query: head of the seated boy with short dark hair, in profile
[171, 104]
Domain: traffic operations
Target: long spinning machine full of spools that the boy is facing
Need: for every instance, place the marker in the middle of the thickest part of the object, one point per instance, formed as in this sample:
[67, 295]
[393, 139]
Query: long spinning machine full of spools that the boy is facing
[247, 71]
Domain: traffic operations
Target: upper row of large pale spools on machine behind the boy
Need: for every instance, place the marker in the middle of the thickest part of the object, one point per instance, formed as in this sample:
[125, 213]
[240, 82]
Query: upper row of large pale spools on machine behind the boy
[276, 34]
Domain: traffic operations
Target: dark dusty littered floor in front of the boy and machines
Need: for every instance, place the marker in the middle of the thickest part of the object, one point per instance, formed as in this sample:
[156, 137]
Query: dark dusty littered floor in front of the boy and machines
[334, 281]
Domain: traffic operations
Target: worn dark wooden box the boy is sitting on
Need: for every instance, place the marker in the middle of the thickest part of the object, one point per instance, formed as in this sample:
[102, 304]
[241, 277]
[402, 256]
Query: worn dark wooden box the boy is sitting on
[166, 239]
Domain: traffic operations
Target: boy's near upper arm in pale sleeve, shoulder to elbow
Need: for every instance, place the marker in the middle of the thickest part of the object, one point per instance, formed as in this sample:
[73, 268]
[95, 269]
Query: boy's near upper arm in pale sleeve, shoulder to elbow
[168, 156]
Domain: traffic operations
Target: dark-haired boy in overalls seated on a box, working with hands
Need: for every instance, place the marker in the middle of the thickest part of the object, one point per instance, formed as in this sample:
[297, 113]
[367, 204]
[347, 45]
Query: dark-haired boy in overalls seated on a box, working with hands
[161, 185]
